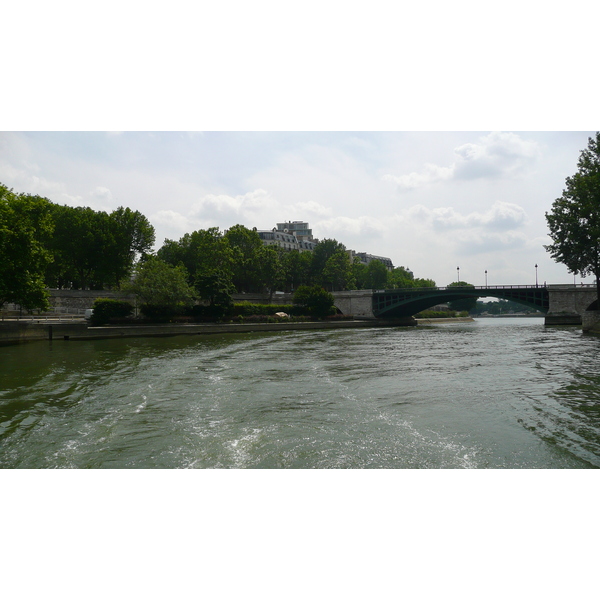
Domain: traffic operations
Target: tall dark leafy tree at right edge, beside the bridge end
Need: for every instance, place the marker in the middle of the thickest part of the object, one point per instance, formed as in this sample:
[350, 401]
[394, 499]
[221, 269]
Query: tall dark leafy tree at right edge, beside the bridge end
[574, 220]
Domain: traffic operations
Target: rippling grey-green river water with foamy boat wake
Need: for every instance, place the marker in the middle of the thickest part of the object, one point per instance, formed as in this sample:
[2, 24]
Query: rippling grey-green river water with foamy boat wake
[494, 393]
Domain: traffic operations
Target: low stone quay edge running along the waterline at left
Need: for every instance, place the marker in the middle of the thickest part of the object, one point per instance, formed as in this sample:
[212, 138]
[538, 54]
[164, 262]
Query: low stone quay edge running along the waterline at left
[18, 331]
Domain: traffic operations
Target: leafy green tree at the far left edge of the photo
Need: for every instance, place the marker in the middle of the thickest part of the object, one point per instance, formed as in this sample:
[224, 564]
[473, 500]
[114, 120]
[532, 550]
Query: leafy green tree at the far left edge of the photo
[25, 223]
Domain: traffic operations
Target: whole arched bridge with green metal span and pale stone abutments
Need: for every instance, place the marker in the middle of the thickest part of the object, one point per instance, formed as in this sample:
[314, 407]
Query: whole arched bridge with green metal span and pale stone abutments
[562, 304]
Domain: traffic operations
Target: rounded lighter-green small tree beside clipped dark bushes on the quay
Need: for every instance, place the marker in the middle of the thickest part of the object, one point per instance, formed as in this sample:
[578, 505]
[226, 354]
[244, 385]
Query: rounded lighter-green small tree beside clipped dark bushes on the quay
[159, 284]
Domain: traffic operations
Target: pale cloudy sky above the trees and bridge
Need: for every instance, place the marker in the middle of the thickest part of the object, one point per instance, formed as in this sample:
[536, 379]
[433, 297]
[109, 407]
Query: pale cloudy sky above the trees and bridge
[434, 202]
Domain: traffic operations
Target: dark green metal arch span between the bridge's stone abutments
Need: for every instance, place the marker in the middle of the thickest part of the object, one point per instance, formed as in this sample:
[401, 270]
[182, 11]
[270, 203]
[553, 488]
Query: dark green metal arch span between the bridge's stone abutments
[405, 302]
